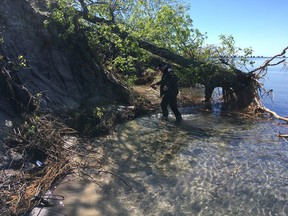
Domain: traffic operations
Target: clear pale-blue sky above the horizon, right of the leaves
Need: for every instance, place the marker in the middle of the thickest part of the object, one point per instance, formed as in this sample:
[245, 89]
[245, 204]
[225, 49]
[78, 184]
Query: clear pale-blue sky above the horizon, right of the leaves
[258, 24]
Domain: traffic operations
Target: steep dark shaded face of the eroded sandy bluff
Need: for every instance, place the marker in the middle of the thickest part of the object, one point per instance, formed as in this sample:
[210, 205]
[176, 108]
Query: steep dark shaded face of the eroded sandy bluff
[34, 63]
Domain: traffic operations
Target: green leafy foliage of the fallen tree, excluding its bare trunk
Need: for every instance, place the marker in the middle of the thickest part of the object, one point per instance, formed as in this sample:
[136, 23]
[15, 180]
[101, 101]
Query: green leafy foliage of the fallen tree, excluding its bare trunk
[113, 29]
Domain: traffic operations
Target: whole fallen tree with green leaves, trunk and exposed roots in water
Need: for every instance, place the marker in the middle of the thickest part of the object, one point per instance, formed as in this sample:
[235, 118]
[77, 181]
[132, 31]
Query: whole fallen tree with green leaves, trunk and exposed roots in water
[133, 30]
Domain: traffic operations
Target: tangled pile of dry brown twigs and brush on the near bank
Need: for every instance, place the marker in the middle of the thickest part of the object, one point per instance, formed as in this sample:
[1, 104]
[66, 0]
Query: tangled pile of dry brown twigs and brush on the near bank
[48, 151]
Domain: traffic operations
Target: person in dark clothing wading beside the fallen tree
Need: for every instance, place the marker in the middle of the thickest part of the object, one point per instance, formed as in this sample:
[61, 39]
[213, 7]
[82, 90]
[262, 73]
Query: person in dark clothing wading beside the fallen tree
[168, 91]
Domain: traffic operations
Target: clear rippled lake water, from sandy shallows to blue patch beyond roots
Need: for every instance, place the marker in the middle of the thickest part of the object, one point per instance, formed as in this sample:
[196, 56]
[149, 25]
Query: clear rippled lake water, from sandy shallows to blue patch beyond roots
[212, 163]
